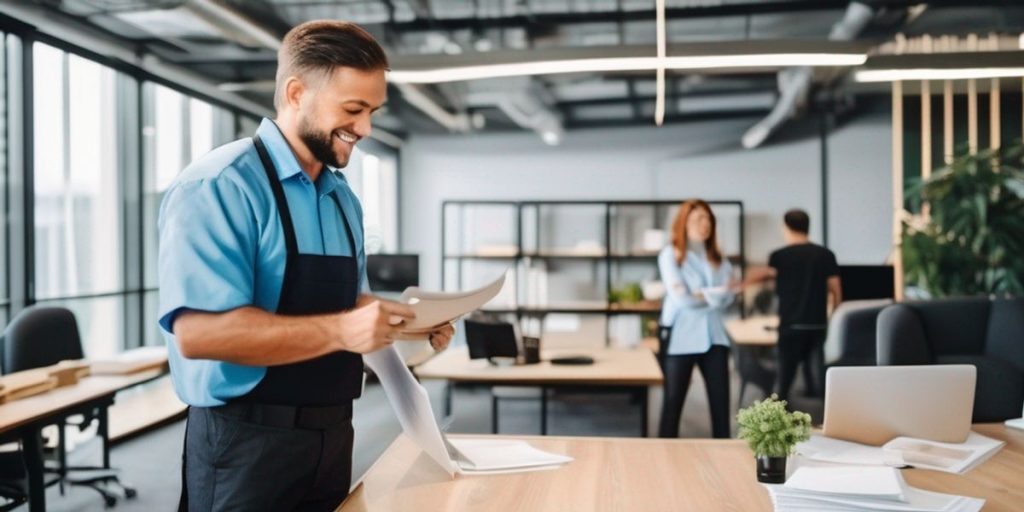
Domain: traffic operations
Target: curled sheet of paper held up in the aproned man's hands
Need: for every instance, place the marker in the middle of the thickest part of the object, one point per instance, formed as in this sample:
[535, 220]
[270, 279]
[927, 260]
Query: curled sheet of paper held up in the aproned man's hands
[437, 309]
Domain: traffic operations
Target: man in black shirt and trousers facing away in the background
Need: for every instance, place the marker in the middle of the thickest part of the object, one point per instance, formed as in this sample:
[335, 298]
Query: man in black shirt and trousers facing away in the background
[805, 276]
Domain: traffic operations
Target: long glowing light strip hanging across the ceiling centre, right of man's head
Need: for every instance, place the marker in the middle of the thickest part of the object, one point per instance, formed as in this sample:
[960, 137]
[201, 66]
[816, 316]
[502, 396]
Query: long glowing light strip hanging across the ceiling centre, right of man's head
[624, 64]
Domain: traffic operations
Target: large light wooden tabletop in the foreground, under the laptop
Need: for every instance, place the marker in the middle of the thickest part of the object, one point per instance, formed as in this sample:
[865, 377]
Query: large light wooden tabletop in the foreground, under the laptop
[626, 475]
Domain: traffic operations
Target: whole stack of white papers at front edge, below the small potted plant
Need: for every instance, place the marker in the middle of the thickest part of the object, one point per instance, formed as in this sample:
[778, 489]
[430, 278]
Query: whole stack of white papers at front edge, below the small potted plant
[862, 489]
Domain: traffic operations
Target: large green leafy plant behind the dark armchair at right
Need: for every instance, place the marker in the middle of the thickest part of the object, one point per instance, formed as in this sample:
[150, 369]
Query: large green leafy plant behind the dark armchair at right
[972, 242]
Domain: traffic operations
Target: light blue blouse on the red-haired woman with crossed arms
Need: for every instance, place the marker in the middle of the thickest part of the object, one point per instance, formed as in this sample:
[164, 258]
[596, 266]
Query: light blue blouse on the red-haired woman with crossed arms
[697, 324]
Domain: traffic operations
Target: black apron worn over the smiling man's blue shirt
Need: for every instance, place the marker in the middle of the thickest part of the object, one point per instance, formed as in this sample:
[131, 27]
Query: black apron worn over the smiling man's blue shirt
[313, 284]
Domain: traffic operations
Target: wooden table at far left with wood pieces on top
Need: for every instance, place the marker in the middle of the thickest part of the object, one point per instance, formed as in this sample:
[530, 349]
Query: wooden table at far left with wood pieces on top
[25, 418]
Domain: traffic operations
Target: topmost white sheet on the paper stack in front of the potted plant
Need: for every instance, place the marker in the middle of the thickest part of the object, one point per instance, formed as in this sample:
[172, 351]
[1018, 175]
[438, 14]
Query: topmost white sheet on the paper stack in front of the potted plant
[863, 482]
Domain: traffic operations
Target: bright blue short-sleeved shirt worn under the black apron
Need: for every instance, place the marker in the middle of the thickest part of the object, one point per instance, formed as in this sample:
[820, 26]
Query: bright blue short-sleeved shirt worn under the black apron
[222, 247]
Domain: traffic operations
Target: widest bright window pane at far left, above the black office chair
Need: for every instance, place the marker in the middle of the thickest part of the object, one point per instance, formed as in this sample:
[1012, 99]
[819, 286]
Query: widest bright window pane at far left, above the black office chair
[78, 191]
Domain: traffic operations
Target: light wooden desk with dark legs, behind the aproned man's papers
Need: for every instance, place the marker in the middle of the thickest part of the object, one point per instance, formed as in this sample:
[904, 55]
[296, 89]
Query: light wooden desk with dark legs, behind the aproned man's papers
[614, 370]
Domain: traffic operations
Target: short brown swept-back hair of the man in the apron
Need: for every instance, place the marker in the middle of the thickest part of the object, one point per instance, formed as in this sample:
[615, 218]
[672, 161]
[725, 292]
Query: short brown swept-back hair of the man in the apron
[313, 51]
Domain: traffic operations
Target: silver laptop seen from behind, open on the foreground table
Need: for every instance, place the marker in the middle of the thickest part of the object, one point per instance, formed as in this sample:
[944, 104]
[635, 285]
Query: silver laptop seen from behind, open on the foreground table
[874, 405]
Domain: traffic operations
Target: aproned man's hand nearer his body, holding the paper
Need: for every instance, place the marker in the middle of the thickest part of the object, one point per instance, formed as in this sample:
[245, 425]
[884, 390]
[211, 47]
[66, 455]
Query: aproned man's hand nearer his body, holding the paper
[370, 326]
